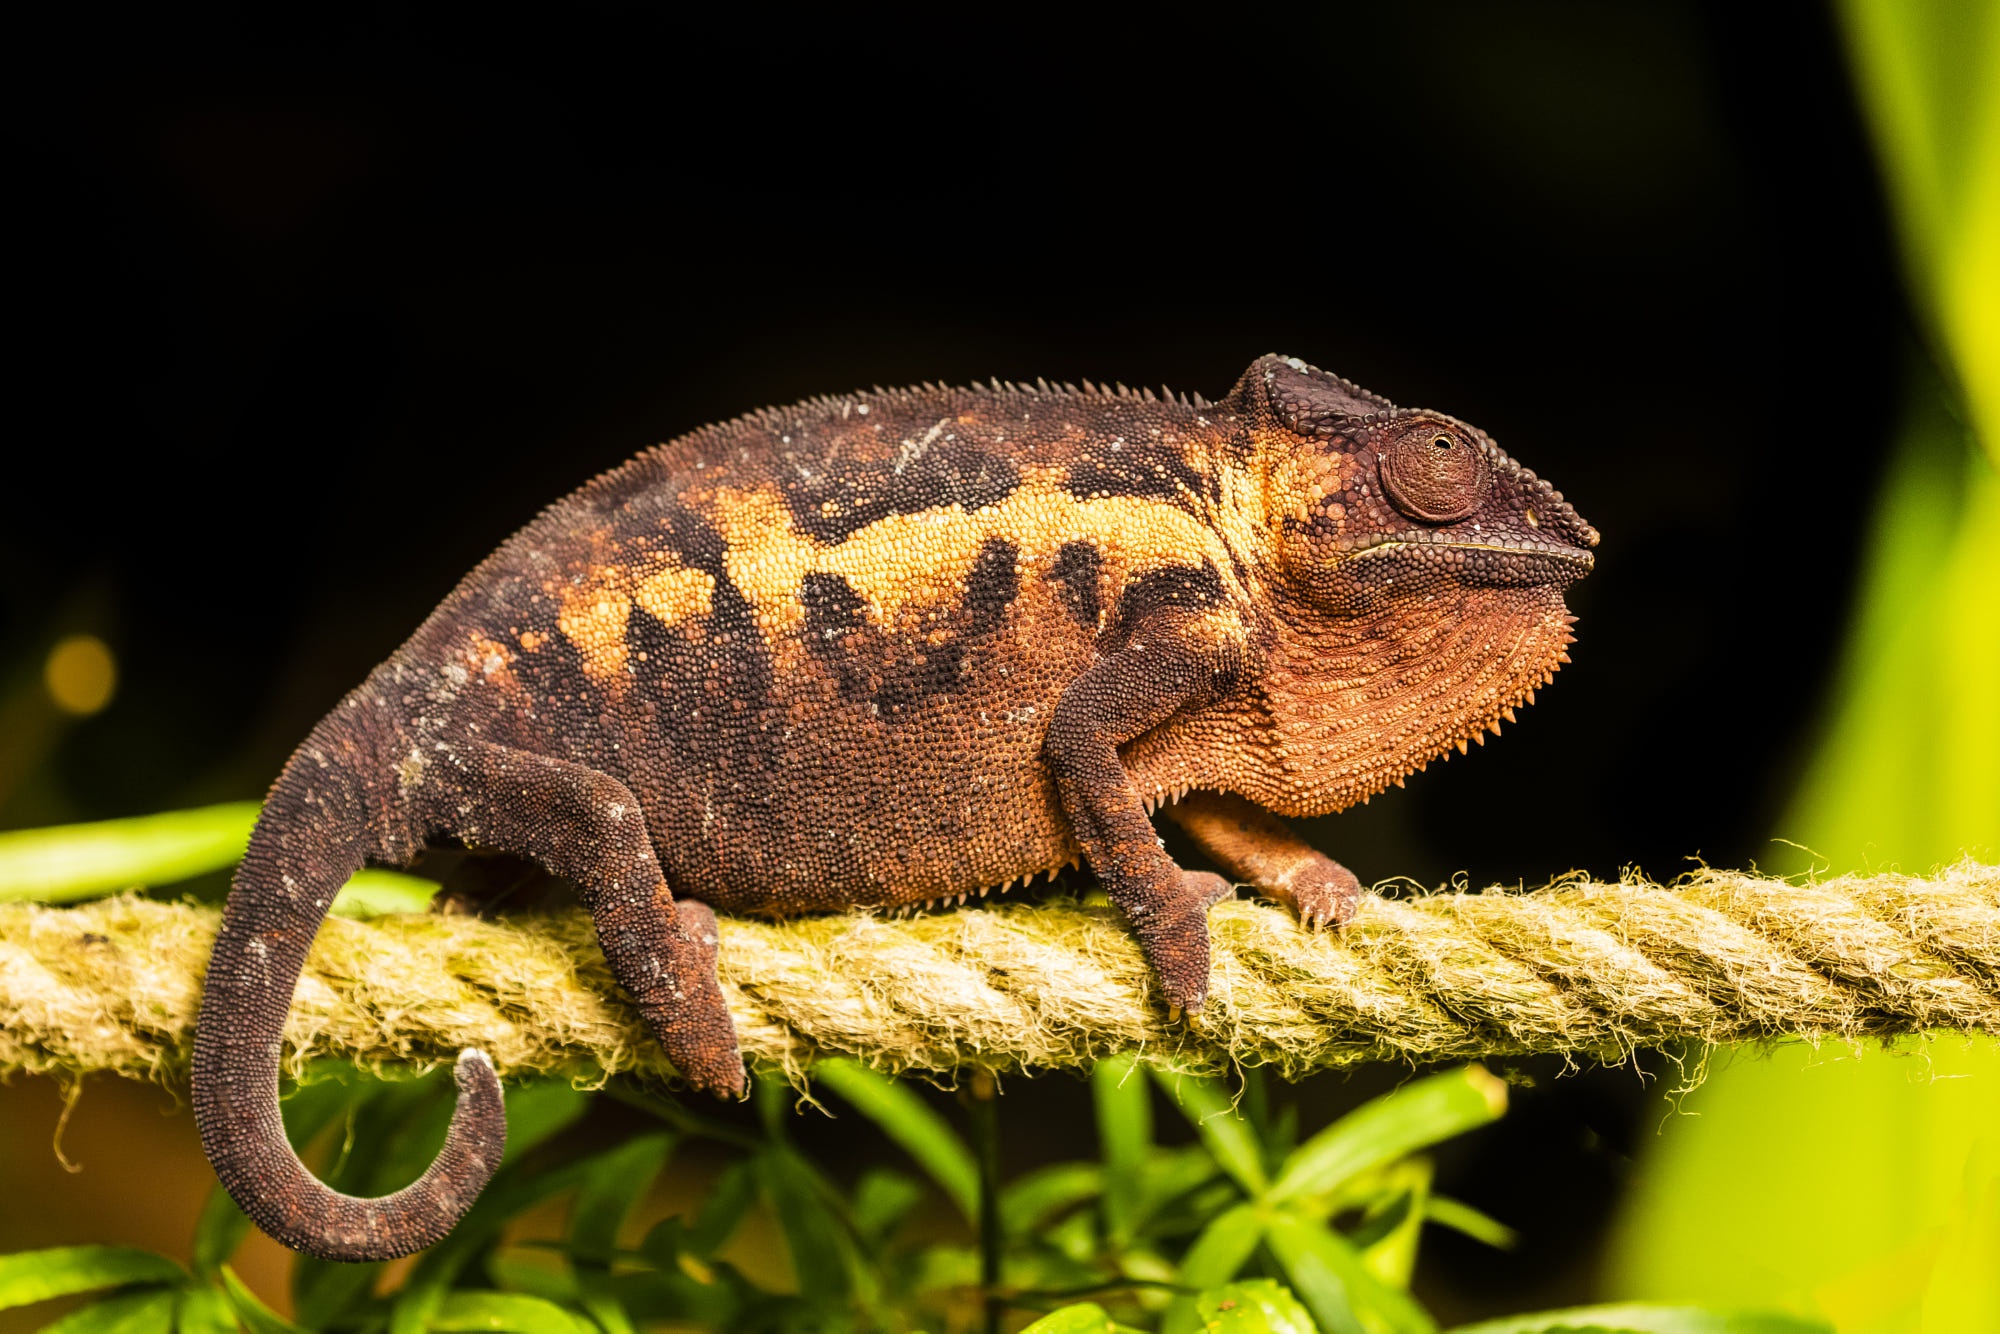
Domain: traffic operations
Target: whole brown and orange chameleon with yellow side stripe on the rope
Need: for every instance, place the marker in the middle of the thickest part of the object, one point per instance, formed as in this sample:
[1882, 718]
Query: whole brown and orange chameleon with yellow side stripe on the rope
[895, 649]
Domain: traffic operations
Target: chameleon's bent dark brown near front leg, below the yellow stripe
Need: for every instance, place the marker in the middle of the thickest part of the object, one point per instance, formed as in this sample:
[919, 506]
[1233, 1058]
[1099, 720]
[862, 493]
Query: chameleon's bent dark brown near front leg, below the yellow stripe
[1157, 677]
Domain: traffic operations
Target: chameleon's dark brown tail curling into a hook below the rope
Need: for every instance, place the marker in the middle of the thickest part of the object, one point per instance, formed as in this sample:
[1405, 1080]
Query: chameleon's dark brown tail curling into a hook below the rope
[317, 829]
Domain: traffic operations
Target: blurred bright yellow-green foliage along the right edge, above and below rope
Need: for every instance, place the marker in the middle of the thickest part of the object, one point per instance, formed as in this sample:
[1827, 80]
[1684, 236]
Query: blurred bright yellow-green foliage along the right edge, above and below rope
[1869, 1189]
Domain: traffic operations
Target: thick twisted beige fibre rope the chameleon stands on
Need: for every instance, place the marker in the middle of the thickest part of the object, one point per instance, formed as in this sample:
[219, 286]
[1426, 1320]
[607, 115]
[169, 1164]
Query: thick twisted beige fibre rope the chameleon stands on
[1579, 967]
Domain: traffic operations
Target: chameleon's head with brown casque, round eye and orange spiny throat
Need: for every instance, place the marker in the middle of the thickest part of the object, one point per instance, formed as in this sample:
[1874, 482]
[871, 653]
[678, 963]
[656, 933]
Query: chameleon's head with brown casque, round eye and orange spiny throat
[1419, 581]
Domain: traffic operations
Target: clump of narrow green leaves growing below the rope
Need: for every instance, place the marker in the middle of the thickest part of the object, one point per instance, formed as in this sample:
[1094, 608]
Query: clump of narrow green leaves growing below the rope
[1245, 1231]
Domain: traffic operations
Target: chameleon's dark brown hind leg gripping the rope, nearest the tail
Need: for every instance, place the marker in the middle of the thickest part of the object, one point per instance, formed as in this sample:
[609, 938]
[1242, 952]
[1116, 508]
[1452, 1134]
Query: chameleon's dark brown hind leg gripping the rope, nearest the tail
[587, 827]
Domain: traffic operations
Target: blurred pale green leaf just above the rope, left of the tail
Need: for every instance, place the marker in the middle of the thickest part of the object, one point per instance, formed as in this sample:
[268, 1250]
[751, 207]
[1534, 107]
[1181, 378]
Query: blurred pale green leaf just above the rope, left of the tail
[83, 861]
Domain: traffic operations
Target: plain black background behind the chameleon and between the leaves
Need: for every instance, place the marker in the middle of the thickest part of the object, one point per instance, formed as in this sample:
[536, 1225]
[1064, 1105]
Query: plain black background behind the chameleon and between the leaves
[309, 313]
